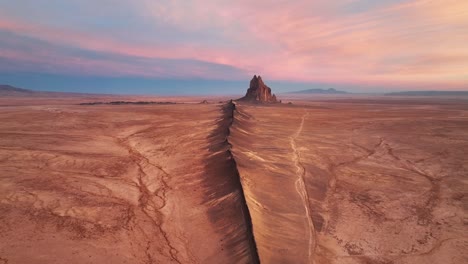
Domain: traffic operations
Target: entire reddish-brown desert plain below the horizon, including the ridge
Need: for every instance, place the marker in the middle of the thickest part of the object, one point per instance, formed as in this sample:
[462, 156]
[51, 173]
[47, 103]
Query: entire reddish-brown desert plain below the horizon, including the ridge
[335, 181]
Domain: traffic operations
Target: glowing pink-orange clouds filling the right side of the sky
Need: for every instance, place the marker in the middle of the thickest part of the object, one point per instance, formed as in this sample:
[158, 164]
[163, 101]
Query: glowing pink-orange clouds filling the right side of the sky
[417, 41]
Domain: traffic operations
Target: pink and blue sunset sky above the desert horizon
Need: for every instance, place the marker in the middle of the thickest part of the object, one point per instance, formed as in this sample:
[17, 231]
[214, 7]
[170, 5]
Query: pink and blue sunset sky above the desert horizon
[208, 46]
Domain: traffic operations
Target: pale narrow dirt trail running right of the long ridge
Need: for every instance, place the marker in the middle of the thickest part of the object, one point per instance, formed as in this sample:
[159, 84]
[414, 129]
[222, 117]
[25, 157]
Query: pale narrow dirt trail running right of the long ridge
[301, 186]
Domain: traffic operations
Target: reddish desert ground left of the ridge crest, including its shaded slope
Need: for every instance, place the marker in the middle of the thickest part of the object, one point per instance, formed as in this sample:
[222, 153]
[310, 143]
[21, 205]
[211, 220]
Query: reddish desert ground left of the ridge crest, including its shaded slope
[117, 184]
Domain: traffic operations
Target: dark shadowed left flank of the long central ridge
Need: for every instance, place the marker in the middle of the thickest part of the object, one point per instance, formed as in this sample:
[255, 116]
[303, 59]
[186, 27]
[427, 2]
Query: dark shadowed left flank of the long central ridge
[225, 194]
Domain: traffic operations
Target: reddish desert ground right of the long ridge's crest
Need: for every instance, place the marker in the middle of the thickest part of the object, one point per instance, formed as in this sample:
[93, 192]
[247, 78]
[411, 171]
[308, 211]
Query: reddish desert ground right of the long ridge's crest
[364, 181]
